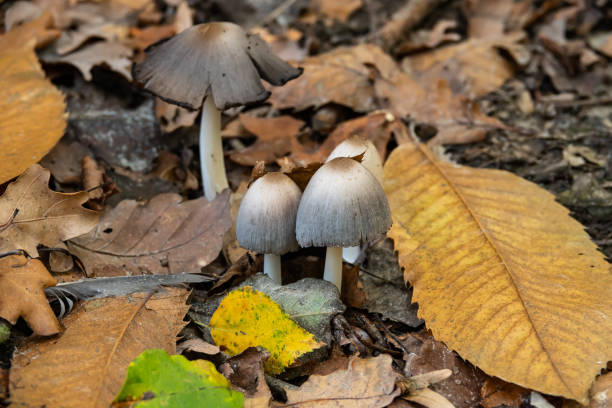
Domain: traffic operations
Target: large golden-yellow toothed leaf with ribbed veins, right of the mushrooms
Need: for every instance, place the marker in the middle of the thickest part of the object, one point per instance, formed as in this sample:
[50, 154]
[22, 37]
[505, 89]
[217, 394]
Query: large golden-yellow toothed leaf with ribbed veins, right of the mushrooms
[501, 272]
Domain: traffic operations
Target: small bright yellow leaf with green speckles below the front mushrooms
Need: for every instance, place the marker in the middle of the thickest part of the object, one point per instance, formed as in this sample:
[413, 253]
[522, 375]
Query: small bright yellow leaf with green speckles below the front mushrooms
[249, 318]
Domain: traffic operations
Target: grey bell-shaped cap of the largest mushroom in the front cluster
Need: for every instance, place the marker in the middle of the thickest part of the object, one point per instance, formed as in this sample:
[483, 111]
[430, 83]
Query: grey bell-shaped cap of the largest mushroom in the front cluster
[343, 205]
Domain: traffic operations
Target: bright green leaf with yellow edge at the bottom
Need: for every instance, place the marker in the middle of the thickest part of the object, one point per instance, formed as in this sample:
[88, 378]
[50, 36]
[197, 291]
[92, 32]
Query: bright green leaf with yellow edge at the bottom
[155, 379]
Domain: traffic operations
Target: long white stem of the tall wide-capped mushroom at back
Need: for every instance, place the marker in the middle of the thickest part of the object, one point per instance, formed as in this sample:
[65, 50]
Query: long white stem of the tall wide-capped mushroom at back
[211, 151]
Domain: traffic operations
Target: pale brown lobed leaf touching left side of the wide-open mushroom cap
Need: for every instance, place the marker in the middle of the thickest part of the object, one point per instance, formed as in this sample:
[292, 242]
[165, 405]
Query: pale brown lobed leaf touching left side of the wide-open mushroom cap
[112, 55]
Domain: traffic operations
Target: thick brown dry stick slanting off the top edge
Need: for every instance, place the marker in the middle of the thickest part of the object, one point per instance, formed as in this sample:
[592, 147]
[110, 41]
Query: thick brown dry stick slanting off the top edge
[404, 19]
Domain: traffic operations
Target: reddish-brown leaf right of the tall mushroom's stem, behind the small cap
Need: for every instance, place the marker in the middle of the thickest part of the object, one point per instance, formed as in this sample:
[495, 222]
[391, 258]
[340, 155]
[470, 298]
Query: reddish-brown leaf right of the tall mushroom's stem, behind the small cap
[276, 137]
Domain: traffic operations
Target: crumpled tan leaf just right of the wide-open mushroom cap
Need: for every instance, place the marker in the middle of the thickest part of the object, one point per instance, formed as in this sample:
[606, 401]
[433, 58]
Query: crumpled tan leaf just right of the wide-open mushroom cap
[342, 76]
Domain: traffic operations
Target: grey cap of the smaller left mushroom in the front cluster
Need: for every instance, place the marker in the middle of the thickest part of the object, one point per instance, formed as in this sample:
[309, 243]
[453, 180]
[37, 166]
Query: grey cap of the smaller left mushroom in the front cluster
[266, 218]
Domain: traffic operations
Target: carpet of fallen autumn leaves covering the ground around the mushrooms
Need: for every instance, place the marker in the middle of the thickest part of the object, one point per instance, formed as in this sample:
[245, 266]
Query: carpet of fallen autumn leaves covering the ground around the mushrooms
[485, 292]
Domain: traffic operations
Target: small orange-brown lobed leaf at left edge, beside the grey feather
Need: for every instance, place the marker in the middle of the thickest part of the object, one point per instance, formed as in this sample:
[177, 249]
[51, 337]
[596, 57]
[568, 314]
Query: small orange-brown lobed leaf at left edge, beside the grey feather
[22, 284]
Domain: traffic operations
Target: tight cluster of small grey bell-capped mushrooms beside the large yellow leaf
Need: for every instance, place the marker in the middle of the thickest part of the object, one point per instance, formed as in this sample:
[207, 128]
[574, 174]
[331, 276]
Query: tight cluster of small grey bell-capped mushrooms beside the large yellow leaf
[343, 205]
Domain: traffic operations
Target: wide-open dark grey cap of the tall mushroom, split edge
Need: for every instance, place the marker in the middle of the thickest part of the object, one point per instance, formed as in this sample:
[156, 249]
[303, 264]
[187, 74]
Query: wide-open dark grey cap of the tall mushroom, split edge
[214, 58]
